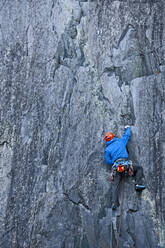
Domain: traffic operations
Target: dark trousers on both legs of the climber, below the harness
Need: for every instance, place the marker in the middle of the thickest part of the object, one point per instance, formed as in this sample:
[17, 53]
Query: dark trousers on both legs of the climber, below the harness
[137, 172]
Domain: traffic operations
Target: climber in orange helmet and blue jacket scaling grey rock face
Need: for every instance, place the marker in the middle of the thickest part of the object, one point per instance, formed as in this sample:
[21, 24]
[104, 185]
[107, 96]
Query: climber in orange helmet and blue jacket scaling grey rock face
[116, 154]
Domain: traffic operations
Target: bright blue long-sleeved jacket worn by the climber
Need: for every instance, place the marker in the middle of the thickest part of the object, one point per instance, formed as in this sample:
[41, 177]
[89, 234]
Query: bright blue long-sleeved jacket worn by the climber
[116, 148]
